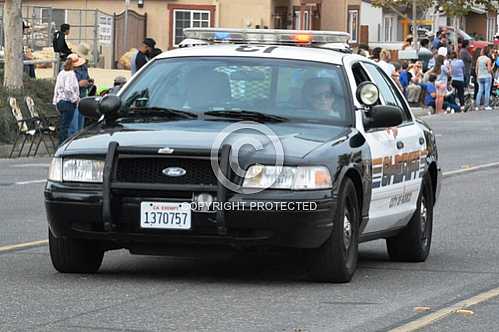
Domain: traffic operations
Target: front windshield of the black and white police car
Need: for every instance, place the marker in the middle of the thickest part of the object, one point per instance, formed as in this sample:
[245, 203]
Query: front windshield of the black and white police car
[302, 90]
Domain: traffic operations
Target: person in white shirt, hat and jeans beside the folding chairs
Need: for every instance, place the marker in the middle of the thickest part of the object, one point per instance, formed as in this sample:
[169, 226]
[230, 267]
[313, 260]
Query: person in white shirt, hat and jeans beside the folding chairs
[66, 95]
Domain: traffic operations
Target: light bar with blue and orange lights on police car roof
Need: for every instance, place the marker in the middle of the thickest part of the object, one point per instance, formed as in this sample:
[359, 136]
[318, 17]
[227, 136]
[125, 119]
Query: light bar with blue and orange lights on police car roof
[267, 36]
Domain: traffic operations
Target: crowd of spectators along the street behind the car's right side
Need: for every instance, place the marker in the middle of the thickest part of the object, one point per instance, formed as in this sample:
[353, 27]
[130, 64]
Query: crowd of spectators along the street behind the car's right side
[441, 74]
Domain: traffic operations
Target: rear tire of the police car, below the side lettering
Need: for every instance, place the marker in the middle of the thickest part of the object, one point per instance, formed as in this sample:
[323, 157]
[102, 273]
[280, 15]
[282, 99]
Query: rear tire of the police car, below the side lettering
[413, 243]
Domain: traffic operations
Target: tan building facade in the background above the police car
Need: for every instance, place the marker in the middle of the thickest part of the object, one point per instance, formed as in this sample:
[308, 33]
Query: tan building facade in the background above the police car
[164, 20]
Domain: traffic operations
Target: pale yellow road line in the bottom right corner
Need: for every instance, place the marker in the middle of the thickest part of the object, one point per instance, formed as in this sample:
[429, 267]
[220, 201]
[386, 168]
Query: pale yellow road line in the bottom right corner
[444, 312]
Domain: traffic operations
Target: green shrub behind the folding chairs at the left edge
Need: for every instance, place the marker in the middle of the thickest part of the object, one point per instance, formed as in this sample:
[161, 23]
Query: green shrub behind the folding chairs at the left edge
[40, 90]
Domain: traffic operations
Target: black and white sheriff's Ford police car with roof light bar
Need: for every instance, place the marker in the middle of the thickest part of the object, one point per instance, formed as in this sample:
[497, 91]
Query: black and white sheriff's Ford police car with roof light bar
[247, 139]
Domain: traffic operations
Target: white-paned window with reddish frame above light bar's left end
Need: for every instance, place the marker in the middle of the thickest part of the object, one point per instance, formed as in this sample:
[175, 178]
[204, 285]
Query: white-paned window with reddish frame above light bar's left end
[188, 19]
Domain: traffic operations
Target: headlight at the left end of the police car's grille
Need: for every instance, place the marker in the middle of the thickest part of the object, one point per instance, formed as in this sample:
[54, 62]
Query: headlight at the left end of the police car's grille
[82, 170]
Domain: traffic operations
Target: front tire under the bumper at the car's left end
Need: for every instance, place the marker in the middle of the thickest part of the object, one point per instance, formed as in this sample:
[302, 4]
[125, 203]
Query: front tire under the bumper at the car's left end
[74, 255]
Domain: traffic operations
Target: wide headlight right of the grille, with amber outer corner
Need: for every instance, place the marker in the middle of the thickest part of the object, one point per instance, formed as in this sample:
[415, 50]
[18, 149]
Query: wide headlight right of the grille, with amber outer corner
[294, 178]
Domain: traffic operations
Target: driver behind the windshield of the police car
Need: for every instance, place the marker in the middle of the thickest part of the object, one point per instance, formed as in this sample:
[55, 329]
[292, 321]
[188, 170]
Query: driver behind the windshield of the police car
[319, 96]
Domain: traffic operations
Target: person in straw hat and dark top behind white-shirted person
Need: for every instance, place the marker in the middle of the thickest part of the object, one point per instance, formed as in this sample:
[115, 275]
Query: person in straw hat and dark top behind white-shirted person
[81, 71]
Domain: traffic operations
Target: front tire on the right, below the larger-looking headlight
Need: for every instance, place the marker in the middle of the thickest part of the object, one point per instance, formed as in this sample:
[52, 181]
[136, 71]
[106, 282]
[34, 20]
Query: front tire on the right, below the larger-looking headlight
[336, 260]
